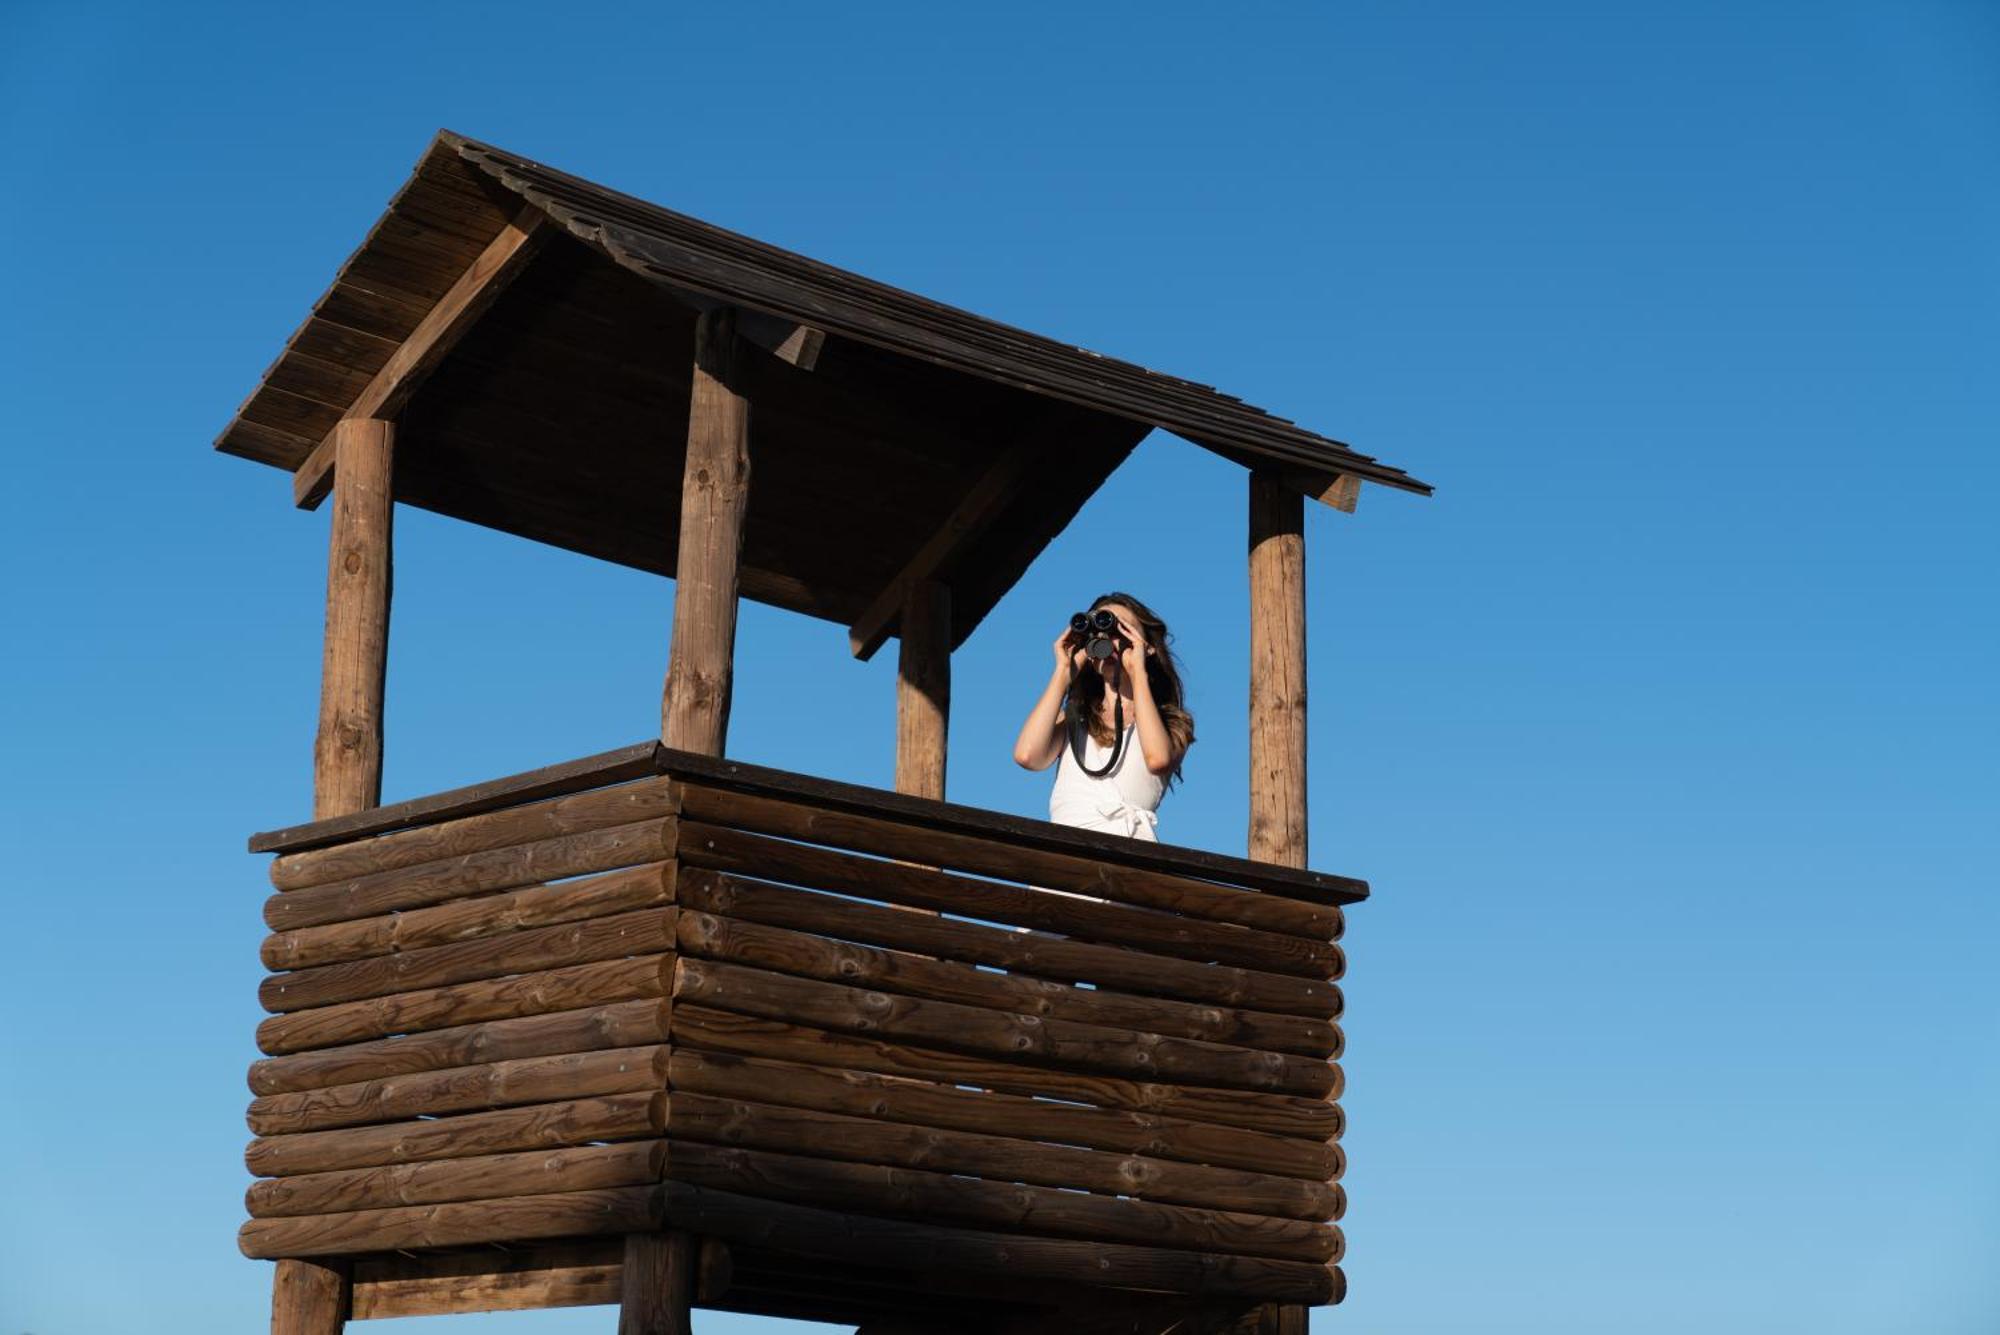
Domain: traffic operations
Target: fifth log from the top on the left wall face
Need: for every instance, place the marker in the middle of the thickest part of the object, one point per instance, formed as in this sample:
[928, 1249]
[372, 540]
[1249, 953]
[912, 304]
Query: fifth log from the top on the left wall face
[467, 1004]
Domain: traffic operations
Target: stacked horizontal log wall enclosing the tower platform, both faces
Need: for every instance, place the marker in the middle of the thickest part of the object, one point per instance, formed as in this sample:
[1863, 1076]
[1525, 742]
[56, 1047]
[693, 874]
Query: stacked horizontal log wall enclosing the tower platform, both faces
[651, 990]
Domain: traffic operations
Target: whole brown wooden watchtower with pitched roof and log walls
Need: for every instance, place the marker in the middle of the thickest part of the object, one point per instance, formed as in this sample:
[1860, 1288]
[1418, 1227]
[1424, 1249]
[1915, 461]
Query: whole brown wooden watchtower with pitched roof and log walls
[661, 1030]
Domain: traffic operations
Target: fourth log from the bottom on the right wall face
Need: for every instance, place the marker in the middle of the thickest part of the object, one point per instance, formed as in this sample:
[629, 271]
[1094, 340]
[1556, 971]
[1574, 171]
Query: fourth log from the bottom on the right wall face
[929, 1104]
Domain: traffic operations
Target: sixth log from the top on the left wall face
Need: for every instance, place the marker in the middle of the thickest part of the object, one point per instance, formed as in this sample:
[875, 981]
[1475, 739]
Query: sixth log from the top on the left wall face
[621, 1024]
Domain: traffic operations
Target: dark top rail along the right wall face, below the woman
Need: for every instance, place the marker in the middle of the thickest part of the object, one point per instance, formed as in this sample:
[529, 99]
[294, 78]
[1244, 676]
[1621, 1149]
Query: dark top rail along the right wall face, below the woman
[705, 774]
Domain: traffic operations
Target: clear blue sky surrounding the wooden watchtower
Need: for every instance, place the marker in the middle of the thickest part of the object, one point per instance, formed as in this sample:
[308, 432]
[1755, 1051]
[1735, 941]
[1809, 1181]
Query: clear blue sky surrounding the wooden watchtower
[1665, 730]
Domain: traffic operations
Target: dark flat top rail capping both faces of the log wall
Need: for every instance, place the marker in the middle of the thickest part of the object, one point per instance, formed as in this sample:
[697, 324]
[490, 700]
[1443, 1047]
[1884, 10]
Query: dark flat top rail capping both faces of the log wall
[651, 758]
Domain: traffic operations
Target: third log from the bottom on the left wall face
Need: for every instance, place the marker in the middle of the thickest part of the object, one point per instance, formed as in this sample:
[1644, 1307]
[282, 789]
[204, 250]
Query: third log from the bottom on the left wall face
[541, 1126]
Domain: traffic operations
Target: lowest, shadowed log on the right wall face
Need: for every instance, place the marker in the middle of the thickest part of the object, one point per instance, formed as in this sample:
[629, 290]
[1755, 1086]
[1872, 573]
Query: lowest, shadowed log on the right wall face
[841, 1236]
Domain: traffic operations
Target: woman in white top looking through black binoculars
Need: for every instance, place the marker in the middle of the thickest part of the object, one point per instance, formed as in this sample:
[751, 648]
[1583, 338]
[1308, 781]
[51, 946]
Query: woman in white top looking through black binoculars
[1123, 774]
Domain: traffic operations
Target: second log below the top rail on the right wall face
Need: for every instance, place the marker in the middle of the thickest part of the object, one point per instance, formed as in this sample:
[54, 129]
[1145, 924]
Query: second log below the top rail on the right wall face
[1023, 906]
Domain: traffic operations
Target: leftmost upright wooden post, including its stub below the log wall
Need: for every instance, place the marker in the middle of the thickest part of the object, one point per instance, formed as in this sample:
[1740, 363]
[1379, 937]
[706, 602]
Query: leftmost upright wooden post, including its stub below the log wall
[313, 1298]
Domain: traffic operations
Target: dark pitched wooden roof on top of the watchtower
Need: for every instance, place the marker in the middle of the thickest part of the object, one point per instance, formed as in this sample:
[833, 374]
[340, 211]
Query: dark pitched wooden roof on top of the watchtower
[913, 441]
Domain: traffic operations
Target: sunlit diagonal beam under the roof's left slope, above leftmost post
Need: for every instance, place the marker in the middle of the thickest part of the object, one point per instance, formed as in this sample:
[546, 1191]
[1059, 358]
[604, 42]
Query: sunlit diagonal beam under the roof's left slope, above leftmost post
[429, 343]
